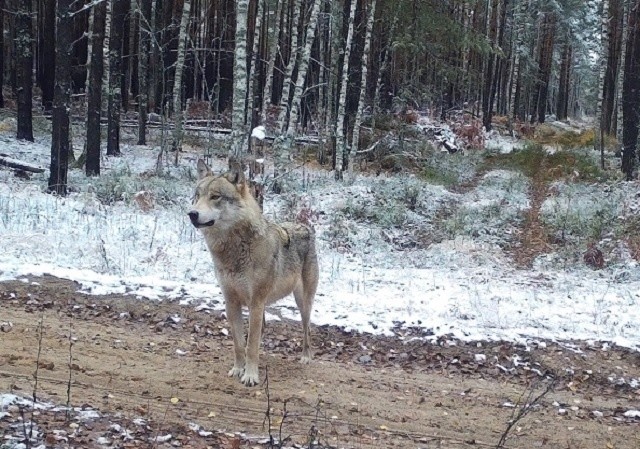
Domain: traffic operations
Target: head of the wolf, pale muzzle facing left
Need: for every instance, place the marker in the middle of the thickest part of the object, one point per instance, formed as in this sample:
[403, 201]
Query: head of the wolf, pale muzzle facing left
[221, 201]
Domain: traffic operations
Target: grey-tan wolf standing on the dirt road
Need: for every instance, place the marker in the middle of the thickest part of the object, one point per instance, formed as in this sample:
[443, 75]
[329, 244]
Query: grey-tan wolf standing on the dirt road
[257, 262]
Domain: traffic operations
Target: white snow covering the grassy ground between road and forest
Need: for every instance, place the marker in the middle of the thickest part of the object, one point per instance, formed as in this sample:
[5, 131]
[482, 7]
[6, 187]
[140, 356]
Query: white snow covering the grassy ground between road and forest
[463, 285]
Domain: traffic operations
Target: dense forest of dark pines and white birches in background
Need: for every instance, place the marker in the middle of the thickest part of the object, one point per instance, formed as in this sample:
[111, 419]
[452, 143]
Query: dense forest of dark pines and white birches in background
[341, 71]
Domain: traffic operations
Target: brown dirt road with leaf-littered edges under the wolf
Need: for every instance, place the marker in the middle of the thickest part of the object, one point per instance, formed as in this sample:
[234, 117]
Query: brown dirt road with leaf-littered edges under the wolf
[167, 364]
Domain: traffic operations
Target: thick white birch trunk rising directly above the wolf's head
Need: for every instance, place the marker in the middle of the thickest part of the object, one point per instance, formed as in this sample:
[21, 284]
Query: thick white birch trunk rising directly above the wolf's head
[238, 127]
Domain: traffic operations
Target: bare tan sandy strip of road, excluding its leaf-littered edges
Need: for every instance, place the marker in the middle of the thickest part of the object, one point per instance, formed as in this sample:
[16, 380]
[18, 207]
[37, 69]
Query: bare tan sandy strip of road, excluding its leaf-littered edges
[131, 366]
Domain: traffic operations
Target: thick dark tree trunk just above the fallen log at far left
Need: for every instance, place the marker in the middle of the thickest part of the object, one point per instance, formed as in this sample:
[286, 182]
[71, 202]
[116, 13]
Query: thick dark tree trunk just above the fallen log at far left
[24, 78]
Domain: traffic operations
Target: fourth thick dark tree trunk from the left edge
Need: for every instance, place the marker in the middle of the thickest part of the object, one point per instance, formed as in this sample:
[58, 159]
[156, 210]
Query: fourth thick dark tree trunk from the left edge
[118, 12]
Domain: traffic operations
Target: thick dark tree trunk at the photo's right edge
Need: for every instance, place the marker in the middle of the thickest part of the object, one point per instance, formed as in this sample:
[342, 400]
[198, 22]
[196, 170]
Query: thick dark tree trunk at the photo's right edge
[631, 94]
